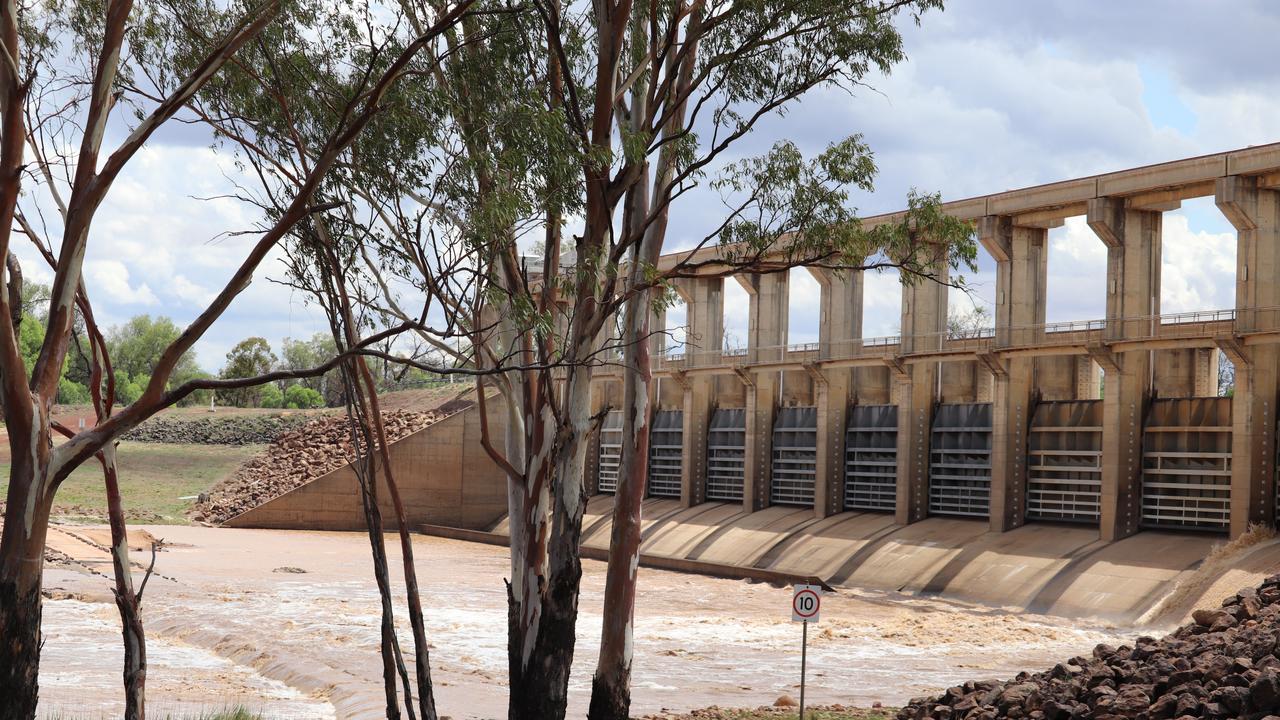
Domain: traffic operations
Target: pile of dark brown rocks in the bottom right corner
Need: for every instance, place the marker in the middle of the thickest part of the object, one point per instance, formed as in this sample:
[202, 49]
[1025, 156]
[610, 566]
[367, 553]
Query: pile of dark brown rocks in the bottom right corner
[1222, 666]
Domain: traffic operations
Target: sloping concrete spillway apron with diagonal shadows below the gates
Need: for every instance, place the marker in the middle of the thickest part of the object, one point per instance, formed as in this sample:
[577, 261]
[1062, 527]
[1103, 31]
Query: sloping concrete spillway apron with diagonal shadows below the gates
[1049, 569]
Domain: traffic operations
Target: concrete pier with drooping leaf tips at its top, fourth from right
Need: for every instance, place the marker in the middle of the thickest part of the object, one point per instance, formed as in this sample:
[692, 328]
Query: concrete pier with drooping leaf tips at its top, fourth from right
[925, 320]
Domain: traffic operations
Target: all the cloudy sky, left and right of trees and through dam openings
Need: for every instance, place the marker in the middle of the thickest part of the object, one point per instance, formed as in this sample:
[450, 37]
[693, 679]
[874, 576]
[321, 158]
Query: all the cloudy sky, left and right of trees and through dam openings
[995, 95]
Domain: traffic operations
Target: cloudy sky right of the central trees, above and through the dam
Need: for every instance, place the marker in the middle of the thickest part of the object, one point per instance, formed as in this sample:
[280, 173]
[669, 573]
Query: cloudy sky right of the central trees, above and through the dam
[1005, 94]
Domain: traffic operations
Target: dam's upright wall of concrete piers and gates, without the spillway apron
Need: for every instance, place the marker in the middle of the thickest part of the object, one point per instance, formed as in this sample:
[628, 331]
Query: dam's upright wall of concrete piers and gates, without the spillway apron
[1112, 425]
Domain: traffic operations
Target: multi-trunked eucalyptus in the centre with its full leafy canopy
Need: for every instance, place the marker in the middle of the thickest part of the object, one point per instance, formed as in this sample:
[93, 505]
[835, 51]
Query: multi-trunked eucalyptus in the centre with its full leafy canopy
[579, 129]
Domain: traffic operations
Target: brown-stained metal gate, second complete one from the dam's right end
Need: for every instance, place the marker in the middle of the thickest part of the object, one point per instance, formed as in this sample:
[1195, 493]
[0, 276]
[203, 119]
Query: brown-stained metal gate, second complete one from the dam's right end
[1064, 462]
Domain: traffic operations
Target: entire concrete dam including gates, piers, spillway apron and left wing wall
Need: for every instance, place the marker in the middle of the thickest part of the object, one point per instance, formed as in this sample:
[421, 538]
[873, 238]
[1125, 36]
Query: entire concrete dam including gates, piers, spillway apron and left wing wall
[1073, 468]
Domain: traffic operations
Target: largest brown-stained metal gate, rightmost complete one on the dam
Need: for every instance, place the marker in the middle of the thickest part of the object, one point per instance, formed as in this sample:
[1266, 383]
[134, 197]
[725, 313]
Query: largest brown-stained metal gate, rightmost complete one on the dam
[1187, 464]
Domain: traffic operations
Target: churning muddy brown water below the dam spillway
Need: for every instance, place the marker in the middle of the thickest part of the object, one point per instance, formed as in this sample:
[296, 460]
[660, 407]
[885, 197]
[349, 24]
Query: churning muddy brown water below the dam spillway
[227, 626]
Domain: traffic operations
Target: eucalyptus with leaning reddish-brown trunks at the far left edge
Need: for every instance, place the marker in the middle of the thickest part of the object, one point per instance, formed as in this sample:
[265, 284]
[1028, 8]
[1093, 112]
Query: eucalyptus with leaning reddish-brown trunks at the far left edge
[72, 70]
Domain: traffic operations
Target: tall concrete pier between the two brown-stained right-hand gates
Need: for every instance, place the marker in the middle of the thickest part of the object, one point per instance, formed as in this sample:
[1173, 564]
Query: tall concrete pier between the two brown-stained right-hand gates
[1133, 240]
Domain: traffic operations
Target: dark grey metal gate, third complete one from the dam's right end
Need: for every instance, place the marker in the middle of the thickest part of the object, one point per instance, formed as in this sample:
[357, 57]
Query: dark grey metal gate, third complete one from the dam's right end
[961, 461]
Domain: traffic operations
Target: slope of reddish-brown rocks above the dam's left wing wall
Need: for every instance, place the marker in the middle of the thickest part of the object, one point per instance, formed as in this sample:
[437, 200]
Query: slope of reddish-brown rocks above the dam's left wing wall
[296, 458]
